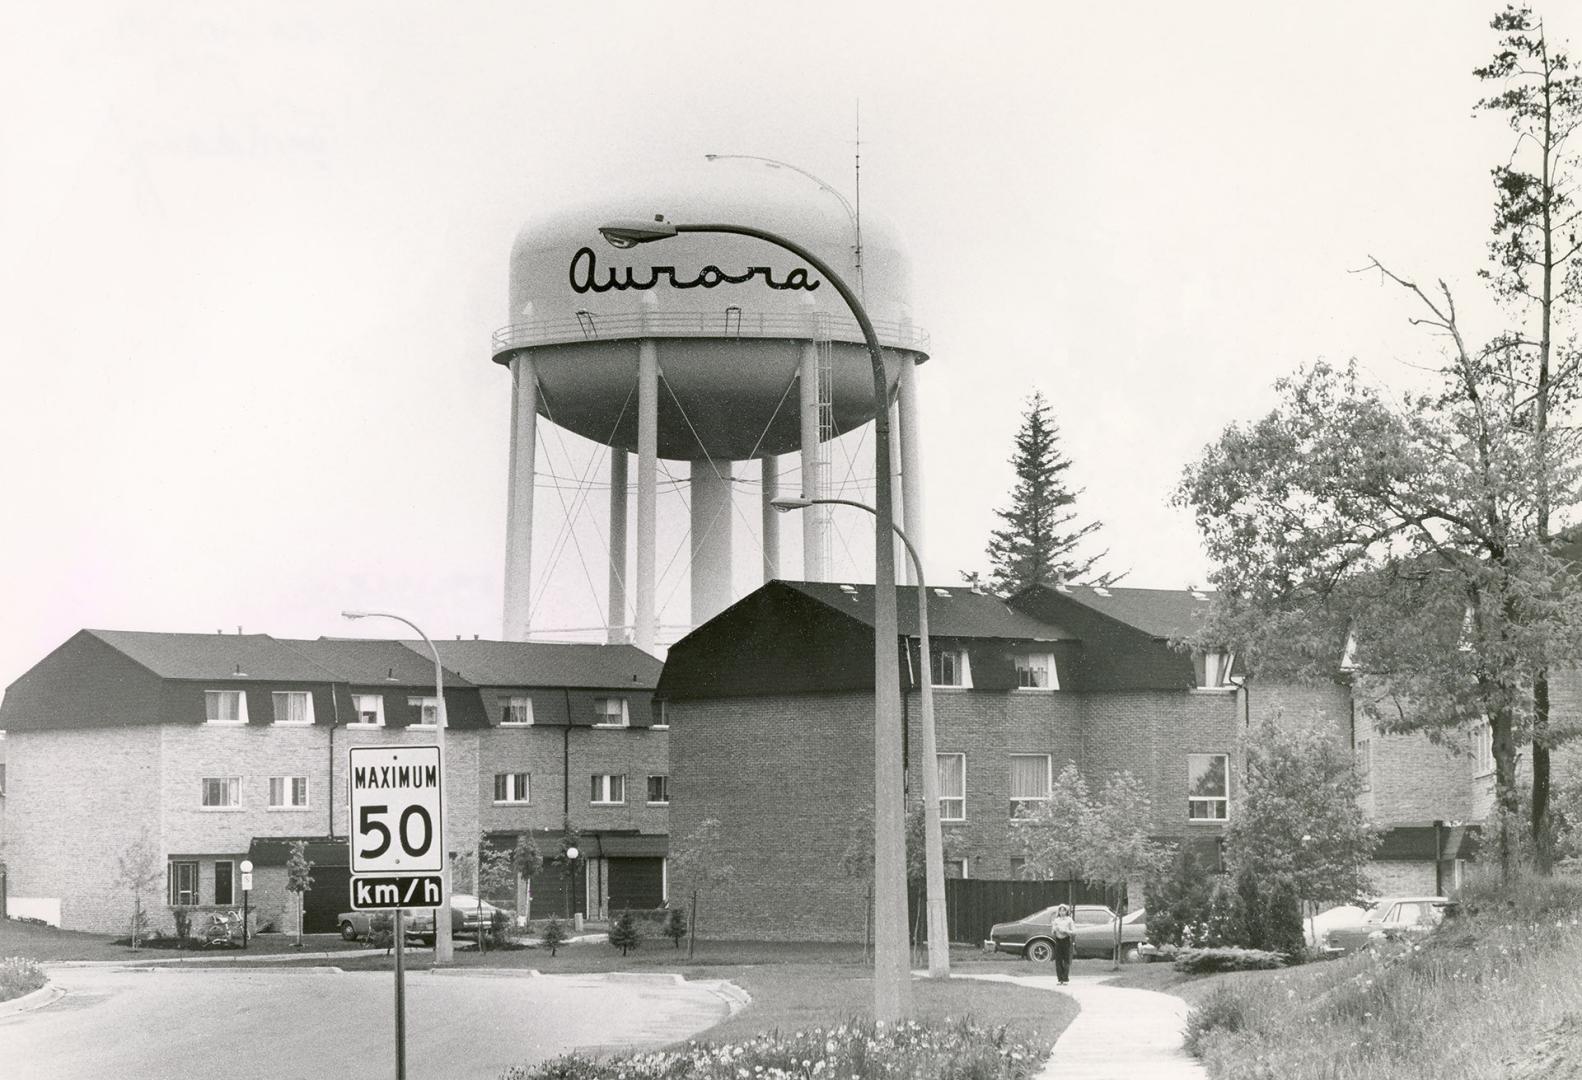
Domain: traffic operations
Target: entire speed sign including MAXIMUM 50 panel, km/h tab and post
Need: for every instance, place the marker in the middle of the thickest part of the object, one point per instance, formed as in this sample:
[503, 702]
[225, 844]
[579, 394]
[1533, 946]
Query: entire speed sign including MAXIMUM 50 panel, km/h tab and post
[398, 807]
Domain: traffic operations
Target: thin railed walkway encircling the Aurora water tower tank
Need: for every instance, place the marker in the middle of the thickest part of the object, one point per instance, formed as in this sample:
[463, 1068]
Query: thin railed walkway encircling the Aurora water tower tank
[717, 325]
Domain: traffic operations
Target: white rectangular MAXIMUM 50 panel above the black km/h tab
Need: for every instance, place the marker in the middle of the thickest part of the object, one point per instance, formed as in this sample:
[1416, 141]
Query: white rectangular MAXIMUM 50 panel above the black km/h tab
[396, 806]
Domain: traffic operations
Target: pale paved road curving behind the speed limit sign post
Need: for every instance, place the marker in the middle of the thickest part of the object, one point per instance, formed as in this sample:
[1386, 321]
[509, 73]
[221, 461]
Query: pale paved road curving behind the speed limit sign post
[316, 1024]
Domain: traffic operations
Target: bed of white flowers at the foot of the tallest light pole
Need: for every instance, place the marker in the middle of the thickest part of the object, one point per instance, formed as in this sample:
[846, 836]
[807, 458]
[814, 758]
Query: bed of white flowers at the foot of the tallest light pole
[863, 1051]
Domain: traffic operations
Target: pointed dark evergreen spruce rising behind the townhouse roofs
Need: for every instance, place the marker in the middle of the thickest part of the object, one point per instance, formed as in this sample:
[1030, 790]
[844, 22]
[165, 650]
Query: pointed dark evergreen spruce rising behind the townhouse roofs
[1040, 542]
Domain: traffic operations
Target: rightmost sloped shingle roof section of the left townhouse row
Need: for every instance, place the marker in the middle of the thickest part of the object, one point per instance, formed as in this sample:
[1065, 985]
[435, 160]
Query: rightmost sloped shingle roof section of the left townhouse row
[490, 663]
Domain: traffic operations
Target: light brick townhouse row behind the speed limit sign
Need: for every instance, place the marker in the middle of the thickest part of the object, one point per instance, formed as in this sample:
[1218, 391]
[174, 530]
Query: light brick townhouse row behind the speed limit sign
[221, 749]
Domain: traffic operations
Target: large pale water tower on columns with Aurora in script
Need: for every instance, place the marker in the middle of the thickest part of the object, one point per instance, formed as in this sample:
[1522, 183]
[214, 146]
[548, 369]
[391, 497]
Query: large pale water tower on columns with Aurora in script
[708, 350]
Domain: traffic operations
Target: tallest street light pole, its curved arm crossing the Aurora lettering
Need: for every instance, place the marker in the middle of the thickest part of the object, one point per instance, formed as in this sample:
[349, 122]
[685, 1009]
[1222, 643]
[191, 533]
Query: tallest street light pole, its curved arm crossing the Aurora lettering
[891, 969]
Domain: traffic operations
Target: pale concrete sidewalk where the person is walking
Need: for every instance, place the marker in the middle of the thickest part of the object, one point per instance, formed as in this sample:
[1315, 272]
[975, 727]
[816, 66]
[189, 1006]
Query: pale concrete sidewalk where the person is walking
[1121, 1035]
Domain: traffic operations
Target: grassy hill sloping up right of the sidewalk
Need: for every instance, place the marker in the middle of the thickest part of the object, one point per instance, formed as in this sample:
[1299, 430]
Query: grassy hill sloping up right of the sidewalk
[1494, 994]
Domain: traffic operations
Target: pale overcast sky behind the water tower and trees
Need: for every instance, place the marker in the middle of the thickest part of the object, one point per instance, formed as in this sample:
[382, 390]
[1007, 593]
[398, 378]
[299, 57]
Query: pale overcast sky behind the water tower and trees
[251, 265]
